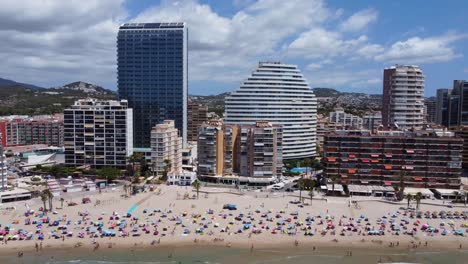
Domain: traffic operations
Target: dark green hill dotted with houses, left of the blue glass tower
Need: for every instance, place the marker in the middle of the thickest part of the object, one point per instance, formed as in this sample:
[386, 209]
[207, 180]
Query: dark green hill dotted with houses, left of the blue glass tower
[24, 100]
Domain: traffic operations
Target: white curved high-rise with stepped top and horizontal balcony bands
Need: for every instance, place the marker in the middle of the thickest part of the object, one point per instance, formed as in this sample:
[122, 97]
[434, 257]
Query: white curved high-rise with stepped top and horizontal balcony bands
[278, 93]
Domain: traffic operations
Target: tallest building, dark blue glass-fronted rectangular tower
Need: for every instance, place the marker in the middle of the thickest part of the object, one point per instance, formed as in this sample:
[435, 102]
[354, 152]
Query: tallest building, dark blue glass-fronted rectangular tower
[152, 75]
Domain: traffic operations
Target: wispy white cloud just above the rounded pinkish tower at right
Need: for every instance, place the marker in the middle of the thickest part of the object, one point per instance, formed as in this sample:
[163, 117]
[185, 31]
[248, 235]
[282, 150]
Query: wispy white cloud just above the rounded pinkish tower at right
[422, 50]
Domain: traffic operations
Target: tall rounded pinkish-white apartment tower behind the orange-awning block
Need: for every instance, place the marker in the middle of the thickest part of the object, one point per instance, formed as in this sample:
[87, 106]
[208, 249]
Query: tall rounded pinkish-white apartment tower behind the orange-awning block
[403, 97]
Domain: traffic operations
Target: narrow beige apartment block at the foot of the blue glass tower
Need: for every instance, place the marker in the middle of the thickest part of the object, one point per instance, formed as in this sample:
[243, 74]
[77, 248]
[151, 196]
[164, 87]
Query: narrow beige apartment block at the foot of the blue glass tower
[166, 147]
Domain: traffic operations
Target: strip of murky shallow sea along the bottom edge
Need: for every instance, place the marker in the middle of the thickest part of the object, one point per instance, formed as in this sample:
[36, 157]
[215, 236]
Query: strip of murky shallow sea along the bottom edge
[207, 255]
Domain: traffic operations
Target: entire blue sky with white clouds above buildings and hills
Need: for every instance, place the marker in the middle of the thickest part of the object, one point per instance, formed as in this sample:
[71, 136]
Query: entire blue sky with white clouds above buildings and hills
[338, 44]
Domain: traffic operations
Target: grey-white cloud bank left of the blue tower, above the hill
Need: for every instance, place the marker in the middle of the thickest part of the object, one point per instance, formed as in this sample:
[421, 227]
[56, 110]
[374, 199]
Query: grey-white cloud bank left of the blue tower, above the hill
[47, 42]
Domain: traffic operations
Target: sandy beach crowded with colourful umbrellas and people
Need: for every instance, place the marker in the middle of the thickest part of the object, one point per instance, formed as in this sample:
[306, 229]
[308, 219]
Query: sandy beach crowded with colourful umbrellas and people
[172, 219]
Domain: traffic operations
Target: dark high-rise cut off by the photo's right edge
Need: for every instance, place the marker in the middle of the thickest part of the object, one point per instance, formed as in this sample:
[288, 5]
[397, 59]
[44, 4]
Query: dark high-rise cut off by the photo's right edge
[458, 104]
